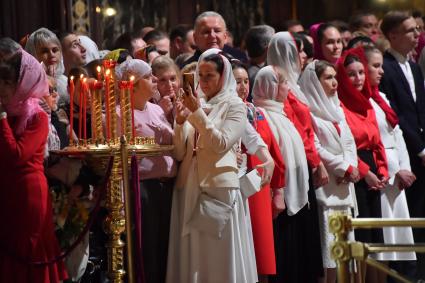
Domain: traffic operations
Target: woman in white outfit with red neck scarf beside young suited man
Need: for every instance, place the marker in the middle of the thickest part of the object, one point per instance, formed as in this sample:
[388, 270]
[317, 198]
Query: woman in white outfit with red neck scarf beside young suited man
[393, 197]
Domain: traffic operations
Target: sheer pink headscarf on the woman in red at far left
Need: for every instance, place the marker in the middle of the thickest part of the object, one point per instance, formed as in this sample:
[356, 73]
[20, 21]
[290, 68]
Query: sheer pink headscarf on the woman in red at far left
[32, 85]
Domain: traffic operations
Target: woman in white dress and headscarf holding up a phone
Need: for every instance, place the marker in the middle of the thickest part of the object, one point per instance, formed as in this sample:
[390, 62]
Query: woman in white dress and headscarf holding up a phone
[210, 237]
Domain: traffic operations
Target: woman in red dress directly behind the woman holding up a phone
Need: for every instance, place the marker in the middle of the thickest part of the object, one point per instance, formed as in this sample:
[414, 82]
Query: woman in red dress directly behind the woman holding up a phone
[262, 205]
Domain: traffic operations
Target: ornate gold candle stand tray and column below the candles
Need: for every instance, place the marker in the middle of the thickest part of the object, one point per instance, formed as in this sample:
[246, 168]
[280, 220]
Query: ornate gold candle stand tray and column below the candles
[117, 222]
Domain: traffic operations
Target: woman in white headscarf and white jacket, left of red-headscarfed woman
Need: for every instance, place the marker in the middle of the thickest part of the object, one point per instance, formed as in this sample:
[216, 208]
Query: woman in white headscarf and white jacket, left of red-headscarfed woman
[337, 150]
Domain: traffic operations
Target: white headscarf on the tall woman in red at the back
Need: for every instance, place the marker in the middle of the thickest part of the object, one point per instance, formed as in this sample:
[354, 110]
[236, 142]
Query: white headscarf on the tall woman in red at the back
[283, 52]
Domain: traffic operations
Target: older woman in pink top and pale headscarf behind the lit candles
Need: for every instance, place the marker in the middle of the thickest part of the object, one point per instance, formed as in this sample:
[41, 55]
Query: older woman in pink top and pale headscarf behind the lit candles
[156, 173]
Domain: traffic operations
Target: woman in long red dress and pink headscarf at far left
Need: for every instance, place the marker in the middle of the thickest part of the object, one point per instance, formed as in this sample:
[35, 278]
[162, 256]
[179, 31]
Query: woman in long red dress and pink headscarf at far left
[26, 208]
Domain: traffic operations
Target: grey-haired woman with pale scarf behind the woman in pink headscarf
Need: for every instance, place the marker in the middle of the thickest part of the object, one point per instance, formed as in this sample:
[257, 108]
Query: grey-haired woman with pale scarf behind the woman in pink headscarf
[46, 48]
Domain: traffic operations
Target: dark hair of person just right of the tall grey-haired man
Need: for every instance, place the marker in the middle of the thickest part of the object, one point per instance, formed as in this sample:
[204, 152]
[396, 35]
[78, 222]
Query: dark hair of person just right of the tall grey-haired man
[257, 39]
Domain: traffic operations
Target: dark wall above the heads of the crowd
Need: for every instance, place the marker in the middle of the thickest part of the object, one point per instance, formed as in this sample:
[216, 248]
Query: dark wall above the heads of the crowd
[20, 17]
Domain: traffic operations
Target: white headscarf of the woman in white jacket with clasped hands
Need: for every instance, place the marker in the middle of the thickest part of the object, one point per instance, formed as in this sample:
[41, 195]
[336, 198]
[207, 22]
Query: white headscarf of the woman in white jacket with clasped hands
[321, 105]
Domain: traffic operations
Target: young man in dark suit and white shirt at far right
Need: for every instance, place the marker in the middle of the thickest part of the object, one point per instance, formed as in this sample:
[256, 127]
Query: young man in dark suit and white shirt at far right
[403, 83]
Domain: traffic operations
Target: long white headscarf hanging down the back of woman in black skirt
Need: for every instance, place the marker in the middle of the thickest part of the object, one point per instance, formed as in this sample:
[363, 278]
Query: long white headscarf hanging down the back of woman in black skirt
[264, 92]
